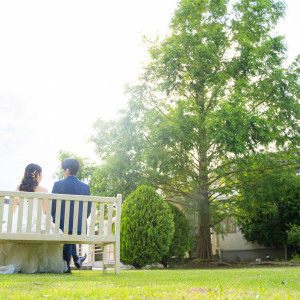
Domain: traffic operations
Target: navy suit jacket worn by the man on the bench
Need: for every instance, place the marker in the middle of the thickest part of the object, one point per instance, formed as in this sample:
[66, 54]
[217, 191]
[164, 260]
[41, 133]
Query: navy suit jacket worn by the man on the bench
[73, 186]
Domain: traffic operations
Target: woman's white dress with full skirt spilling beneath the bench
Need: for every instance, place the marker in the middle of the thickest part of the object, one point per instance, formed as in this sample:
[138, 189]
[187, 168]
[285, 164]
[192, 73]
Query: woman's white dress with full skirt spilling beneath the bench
[30, 258]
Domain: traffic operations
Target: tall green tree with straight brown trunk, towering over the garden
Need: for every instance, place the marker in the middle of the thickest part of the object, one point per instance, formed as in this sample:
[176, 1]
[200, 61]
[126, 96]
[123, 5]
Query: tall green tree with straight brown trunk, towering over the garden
[214, 95]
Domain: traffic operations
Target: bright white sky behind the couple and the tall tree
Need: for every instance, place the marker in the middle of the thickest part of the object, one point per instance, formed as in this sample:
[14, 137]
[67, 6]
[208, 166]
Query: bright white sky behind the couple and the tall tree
[63, 64]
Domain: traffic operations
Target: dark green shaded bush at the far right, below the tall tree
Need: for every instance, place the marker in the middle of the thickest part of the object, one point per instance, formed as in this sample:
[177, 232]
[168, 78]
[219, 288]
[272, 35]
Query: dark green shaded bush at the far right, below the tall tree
[269, 203]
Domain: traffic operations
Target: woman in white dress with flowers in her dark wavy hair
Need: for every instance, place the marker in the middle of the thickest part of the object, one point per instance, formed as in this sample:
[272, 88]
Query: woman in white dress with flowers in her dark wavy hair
[26, 257]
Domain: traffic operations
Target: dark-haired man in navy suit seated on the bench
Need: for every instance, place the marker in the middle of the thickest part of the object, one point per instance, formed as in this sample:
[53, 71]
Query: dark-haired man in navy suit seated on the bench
[70, 185]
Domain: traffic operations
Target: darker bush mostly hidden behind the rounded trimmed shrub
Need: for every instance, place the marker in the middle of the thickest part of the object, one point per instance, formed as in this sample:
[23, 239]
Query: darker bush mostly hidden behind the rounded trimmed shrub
[181, 240]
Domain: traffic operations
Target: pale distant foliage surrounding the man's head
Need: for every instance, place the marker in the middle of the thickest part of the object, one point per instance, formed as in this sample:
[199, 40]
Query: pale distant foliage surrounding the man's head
[86, 167]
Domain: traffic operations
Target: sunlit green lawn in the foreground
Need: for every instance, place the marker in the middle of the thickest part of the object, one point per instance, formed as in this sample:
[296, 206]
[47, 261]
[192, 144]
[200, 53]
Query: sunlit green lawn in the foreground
[251, 283]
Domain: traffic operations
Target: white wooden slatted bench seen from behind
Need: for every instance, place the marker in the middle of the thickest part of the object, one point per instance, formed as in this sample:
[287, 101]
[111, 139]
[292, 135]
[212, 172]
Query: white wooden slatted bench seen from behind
[106, 206]
